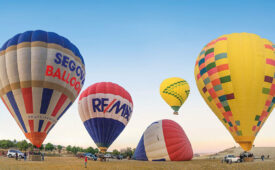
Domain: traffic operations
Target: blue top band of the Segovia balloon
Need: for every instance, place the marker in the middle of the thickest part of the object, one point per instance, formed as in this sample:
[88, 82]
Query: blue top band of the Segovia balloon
[47, 37]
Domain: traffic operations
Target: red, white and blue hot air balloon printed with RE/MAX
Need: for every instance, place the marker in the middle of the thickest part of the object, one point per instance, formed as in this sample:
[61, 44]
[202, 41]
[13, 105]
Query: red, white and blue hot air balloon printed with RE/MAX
[105, 109]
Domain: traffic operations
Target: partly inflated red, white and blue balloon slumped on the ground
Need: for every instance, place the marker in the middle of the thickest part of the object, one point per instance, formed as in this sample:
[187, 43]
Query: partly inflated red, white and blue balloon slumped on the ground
[164, 140]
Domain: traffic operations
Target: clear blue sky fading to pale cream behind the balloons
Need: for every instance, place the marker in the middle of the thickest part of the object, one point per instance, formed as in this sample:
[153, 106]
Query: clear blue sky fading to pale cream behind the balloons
[137, 44]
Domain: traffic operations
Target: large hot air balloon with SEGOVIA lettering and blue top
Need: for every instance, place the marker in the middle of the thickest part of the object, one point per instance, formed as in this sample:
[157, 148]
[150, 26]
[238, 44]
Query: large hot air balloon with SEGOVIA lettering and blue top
[41, 74]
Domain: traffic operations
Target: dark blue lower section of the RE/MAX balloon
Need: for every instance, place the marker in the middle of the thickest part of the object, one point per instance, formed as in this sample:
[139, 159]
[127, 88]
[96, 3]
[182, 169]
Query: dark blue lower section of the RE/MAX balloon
[103, 130]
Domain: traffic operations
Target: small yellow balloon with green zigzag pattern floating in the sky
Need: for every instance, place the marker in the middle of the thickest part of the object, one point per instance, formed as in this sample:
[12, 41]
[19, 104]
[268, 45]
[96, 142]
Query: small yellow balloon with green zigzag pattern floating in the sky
[174, 91]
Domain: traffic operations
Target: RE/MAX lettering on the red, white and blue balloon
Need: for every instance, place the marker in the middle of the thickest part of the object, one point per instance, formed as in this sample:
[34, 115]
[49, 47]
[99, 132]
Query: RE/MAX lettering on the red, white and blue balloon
[103, 105]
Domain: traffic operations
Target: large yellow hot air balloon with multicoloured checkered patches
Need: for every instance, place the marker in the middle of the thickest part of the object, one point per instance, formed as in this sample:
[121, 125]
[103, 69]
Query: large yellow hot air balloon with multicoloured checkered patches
[235, 76]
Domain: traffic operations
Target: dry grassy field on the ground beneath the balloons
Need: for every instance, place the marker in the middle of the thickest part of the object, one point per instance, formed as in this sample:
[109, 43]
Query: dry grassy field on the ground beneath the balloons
[71, 163]
